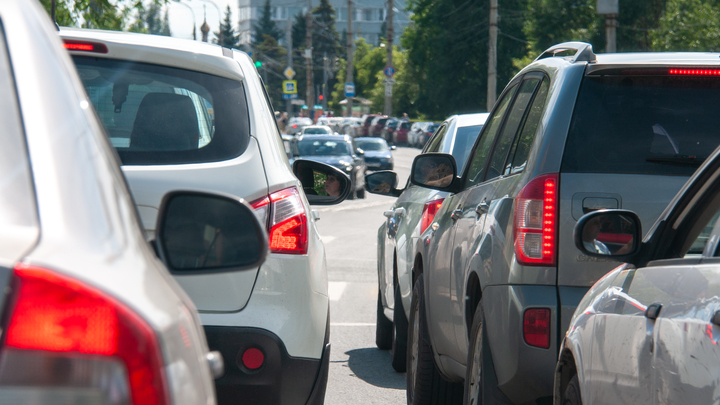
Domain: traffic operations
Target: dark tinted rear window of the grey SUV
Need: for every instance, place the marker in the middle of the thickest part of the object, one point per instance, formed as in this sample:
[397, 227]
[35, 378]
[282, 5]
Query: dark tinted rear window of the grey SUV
[643, 124]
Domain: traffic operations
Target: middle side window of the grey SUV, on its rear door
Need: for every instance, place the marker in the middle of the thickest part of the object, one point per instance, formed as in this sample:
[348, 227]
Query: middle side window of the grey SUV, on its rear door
[515, 116]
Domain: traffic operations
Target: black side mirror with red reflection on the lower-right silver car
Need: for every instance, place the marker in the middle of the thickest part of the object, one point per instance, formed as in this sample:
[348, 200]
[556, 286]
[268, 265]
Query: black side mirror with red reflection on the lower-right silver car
[613, 234]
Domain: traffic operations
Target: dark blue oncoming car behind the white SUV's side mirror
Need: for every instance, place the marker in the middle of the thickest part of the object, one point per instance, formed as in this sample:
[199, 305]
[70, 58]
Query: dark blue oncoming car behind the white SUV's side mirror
[339, 151]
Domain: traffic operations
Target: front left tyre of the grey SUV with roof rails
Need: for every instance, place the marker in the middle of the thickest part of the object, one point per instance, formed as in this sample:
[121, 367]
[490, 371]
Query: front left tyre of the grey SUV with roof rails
[425, 386]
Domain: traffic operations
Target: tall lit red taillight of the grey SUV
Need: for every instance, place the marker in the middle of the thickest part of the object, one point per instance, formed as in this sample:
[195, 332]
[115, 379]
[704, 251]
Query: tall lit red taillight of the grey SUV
[535, 223]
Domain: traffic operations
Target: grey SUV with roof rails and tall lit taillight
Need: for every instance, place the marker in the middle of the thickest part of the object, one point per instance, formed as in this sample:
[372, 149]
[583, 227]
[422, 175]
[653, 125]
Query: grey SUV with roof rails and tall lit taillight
[497, 275]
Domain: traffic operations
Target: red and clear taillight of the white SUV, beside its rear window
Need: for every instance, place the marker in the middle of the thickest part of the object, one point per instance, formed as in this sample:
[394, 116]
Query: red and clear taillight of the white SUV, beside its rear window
[287, 223]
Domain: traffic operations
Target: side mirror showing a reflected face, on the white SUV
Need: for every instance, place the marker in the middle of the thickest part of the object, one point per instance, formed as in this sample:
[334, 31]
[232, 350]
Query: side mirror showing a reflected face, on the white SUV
[322, 184]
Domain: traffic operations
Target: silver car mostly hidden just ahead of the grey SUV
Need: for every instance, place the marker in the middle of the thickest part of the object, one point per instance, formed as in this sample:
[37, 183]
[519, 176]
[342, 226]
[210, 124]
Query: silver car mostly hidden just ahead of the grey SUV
[409, 216]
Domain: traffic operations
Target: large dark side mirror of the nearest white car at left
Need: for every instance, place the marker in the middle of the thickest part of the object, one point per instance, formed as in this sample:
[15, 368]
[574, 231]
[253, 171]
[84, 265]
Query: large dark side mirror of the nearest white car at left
[201, 233]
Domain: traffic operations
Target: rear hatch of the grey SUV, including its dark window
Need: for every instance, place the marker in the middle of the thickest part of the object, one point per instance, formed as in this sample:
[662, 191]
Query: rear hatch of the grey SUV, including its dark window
[636, 136]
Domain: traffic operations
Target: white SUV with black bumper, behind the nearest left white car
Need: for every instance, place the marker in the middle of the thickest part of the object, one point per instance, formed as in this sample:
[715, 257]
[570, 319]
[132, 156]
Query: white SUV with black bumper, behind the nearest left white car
[190, 115]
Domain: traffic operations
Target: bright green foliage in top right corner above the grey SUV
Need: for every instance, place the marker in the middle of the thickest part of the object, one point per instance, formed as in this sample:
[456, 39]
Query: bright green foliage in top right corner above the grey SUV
[688, 25]
